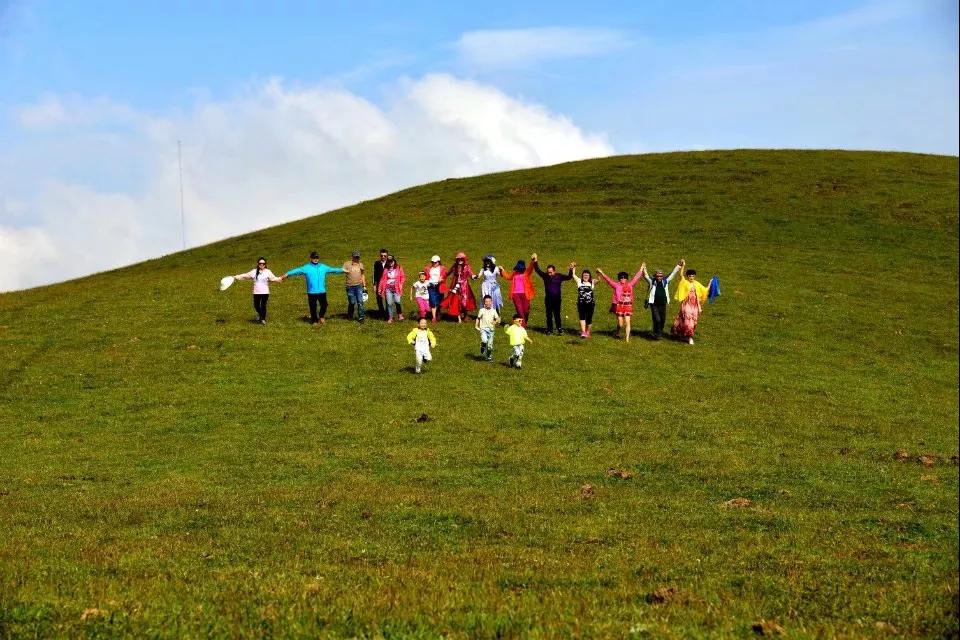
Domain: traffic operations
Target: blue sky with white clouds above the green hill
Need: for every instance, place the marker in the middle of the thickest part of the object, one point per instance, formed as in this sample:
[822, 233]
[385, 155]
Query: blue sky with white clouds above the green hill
[95, 95]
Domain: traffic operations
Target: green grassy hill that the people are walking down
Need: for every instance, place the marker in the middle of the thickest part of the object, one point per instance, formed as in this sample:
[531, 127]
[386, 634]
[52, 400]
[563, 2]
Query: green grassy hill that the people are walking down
[169, 468]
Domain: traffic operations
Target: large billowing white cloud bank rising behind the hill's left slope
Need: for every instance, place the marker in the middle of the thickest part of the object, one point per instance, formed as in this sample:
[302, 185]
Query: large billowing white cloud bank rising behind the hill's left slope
[271, 155]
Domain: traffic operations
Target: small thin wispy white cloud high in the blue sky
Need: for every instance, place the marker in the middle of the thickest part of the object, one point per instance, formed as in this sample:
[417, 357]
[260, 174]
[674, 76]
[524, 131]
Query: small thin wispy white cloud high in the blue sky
[519, 47]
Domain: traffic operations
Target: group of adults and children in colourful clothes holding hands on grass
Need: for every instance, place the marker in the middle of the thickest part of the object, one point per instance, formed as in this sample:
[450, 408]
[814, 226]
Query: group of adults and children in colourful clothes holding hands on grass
[438, 291]
